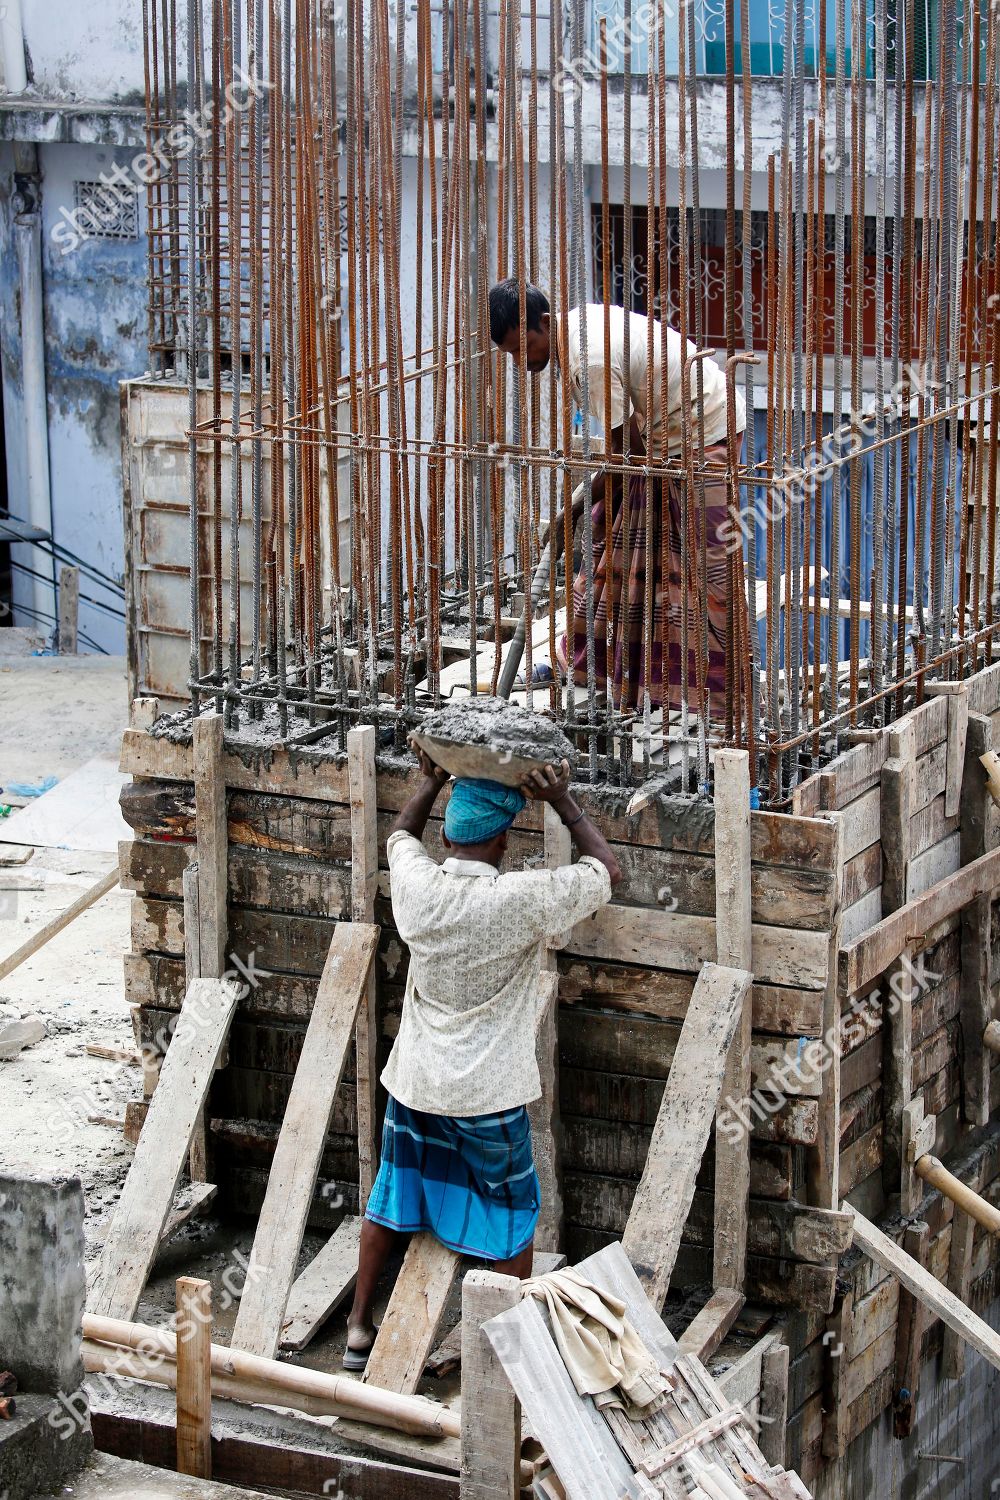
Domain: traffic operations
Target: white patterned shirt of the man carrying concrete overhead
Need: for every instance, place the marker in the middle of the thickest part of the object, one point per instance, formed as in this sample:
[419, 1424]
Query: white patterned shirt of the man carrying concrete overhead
[478, 940]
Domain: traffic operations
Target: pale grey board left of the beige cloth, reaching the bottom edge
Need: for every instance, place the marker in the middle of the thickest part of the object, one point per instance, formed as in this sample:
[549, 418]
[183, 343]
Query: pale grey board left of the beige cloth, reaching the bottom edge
[573, 1433]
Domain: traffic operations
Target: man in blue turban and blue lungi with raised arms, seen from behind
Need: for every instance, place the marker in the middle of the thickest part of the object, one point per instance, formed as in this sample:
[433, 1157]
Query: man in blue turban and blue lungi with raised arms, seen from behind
[457, 1148]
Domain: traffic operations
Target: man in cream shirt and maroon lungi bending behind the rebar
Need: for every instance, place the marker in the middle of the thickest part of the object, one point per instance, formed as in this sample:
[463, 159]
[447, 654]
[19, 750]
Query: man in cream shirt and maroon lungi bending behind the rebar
[647, 527]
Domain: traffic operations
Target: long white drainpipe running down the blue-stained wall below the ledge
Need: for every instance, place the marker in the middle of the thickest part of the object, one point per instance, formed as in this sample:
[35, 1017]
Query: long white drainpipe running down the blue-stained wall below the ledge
[37, 505]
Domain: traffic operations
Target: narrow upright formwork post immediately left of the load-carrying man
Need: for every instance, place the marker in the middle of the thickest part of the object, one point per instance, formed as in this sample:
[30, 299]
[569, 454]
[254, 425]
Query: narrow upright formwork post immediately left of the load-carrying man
[364, 889]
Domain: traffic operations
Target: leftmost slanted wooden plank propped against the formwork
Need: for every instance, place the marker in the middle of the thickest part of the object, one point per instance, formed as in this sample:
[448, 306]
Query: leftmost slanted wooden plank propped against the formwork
[140, 1214]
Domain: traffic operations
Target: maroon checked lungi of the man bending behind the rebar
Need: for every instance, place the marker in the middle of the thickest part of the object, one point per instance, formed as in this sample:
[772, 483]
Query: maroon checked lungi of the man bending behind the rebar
[611, 566]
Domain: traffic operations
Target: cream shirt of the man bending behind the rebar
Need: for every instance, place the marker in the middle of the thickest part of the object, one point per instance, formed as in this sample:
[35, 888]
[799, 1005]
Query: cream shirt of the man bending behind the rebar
[627, 386]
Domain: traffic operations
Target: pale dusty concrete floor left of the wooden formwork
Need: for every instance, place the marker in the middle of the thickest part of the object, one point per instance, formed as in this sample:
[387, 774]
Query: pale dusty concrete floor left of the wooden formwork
[56, 713]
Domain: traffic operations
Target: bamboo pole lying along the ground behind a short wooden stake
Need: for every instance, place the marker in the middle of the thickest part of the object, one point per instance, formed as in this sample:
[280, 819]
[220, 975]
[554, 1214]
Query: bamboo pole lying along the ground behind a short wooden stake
[274, 1382]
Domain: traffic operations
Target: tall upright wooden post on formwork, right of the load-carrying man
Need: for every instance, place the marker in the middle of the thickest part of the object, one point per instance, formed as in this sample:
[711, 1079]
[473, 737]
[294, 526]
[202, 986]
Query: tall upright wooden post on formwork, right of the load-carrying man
[734, 940]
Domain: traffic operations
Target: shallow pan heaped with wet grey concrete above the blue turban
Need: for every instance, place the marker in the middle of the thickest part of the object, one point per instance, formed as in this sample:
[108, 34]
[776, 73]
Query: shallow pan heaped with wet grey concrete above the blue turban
[493, 740]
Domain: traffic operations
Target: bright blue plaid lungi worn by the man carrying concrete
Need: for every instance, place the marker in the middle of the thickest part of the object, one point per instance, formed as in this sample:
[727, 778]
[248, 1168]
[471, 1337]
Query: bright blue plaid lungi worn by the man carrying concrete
[472, 1183]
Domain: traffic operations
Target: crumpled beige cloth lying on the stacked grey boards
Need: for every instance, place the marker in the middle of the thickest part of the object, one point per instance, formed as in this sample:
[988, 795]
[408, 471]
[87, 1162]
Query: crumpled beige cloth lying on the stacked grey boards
[602, 1351]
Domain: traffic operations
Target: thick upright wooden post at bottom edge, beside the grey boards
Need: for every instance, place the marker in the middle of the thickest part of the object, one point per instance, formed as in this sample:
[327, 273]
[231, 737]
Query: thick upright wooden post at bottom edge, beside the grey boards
[491, 1412]
